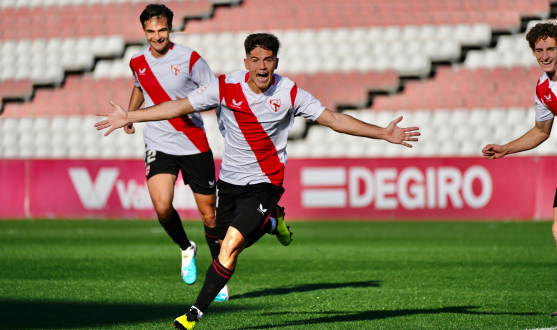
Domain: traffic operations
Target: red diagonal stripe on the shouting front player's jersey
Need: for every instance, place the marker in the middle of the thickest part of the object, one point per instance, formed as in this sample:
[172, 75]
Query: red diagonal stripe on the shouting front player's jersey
[258, 140]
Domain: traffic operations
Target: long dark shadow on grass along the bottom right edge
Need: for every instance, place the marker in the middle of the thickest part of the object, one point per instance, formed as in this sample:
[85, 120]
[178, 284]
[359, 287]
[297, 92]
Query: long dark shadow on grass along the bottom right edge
[338, 317]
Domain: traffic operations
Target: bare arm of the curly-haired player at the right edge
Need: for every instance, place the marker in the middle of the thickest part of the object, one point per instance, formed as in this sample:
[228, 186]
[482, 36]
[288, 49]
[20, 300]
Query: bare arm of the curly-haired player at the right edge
[530, 140]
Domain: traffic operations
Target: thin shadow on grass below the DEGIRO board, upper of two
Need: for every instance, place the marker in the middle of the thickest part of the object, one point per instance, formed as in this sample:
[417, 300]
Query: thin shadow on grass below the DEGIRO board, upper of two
[306, 288]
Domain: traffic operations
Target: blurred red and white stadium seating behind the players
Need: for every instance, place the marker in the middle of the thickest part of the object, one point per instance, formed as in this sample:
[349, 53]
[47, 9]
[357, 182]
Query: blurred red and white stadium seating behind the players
[338, 51]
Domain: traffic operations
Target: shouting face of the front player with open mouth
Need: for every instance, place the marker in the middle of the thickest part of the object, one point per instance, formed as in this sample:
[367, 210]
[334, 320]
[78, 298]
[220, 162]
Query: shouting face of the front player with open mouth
[261, 64]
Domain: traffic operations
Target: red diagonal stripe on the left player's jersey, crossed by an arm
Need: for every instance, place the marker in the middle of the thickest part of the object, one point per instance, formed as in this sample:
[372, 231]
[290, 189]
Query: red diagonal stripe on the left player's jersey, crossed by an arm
[158, 95]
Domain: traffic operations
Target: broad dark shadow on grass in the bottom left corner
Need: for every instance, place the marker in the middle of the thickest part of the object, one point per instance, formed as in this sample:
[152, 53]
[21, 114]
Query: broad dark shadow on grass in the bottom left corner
[20, 314]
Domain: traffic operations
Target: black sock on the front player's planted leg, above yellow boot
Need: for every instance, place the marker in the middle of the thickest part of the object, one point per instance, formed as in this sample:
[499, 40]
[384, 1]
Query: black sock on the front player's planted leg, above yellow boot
[216, 279]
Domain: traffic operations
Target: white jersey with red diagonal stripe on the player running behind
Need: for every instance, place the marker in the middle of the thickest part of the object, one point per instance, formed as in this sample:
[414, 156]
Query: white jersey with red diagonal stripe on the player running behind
[173, 75]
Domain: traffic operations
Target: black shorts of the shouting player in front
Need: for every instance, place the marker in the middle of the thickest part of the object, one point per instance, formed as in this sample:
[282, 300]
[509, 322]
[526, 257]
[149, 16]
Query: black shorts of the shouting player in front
[258, 200]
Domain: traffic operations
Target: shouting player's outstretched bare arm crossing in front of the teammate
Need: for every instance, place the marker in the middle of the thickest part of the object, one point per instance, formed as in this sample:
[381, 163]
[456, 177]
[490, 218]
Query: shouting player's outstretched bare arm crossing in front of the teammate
[163, 111]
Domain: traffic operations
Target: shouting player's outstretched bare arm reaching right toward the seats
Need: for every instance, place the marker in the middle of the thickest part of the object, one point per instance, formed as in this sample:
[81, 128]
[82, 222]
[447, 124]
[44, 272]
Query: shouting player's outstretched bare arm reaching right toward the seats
[349, 125]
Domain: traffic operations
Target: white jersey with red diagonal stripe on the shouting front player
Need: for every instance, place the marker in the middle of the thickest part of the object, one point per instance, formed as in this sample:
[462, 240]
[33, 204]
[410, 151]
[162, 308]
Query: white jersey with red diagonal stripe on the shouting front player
[254, 126]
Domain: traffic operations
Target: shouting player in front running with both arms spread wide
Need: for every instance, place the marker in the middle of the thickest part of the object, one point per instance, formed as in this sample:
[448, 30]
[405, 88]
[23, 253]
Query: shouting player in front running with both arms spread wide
[257, 111]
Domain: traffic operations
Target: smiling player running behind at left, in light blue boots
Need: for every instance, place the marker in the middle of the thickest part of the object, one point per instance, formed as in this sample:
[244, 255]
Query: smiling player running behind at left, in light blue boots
[165, 71]
